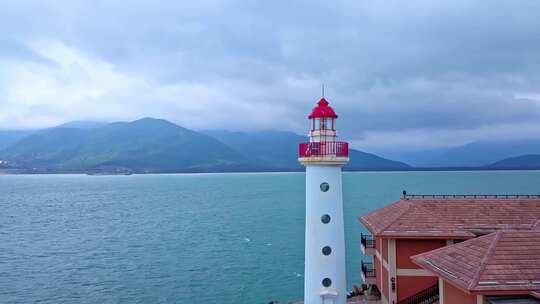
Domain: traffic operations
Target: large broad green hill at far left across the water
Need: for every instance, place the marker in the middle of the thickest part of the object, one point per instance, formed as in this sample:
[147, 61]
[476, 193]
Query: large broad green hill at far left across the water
[145, 145]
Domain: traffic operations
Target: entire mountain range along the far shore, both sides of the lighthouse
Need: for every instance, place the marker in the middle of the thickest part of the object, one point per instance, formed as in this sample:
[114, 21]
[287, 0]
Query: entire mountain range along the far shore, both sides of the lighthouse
[156, 145]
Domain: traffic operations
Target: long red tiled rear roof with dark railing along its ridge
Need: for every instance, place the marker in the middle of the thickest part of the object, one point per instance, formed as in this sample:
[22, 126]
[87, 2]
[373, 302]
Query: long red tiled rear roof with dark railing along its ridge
[452, 217]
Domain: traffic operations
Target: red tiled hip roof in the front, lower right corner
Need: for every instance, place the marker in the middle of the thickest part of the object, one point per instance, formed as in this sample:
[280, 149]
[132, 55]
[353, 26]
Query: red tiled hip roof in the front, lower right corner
[500, 261]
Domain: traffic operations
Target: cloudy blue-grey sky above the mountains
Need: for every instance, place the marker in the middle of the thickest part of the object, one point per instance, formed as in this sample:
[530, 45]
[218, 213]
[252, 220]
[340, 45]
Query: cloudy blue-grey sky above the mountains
[407, 75]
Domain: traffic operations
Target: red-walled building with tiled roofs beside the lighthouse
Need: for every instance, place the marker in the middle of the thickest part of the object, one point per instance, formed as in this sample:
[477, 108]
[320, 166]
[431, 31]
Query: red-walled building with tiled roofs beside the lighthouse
[412, 237]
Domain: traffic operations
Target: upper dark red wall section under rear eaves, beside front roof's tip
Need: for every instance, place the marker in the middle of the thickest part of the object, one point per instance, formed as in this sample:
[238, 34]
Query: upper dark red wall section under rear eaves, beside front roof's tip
[405, 248]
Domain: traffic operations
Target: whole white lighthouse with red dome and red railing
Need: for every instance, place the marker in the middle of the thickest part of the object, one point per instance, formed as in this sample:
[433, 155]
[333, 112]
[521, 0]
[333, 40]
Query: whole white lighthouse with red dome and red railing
[324, 156]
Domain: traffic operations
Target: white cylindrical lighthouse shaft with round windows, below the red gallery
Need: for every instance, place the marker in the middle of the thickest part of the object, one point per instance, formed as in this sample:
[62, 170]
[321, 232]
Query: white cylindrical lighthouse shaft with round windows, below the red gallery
[324, 275]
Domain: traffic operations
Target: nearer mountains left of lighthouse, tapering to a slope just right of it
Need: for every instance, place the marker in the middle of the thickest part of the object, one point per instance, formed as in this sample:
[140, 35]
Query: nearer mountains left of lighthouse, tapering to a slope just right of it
[156, 145]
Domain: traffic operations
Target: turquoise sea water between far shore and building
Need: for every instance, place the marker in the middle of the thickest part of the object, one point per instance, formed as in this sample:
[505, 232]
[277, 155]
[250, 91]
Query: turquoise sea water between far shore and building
[201, 238]
